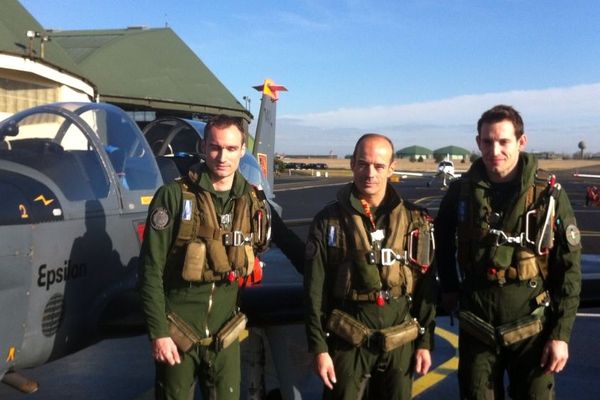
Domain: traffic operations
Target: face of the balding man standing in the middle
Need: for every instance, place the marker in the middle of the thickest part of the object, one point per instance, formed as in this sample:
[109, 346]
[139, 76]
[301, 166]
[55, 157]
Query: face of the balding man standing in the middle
[372, 167]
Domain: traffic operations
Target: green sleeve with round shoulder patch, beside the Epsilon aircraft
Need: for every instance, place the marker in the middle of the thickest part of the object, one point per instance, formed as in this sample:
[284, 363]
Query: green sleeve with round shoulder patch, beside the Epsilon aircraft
[160, 232]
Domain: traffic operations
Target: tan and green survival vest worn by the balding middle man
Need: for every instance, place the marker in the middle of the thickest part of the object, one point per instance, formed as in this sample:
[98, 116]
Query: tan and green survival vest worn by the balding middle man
[369, 270]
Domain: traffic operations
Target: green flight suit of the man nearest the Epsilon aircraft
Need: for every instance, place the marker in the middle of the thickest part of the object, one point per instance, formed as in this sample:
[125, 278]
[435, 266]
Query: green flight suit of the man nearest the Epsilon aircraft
[204, 306]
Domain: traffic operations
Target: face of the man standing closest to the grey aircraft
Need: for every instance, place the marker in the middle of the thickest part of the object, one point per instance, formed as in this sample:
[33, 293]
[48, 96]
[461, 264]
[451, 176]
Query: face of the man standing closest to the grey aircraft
[223, 149]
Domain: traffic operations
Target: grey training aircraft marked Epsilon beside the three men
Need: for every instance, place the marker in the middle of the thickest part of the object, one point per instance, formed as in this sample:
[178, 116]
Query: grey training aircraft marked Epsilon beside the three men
[76, 181]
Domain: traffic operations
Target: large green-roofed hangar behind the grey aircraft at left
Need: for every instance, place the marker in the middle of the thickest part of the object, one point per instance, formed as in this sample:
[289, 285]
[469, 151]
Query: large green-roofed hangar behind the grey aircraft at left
[147, 72]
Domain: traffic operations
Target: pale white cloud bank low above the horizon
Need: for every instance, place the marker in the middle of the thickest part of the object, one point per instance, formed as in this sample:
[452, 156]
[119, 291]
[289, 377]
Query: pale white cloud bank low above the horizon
[556, 119]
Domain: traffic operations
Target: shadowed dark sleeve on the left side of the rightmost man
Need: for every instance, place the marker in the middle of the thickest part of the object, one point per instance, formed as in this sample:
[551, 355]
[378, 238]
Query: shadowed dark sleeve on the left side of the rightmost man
[445, 240]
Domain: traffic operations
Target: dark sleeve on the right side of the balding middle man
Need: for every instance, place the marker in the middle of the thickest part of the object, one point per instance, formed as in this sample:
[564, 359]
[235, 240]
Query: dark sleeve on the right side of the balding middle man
[424, 307]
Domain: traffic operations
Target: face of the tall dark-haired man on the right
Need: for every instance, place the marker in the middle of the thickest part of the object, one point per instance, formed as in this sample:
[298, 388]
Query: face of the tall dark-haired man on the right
[500, 150]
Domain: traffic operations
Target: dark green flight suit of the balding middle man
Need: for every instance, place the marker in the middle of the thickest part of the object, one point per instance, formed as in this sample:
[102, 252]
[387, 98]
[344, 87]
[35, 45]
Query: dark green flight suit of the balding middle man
[355, 365]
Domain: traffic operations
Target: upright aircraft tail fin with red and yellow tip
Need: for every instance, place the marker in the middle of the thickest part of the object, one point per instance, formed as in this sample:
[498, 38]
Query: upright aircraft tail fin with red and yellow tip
[264, 138]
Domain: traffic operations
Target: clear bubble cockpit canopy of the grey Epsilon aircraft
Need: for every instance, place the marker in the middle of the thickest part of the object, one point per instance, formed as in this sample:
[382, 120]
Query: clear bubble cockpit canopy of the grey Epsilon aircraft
[74, 145]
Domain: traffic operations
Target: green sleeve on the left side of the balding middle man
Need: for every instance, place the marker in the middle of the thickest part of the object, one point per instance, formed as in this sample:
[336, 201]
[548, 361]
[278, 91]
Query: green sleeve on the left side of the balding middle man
[315, 285]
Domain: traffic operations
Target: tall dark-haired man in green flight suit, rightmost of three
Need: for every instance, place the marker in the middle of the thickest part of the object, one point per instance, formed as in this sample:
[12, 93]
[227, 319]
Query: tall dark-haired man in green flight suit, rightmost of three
[518, 251]
